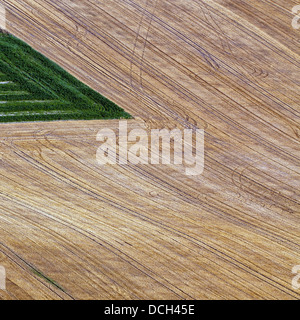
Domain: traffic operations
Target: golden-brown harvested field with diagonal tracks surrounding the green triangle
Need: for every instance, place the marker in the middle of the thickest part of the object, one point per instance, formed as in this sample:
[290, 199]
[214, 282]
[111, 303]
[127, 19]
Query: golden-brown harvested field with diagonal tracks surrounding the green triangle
[70, 229]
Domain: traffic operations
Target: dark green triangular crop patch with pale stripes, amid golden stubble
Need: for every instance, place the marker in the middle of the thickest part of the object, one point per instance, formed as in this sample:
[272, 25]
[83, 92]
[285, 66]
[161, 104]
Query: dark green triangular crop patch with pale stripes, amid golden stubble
[33, 88]
